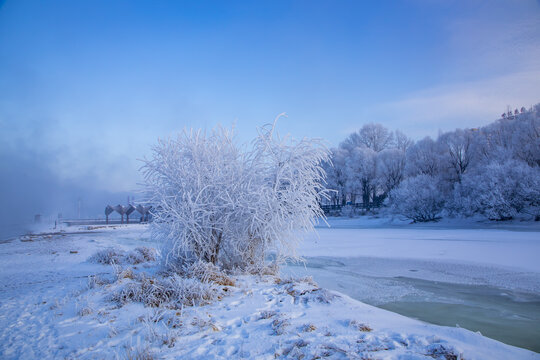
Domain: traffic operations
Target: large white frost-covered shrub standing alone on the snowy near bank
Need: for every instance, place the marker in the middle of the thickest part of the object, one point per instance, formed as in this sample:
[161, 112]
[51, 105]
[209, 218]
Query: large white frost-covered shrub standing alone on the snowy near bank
[219, 204]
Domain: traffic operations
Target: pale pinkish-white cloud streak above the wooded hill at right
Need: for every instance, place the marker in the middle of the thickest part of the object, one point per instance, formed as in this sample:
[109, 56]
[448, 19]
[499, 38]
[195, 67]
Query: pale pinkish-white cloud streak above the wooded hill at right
[461, 105]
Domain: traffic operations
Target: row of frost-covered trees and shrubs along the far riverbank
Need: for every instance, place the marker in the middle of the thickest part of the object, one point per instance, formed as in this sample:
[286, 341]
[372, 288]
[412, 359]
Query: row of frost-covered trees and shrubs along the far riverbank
[492, 171]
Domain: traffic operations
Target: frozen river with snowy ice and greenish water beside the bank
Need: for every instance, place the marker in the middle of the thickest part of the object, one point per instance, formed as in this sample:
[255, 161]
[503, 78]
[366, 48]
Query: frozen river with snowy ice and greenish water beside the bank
[483, 279]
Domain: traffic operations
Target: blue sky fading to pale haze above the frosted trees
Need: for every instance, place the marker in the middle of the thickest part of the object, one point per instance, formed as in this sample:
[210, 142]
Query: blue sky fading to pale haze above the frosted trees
[87, 86]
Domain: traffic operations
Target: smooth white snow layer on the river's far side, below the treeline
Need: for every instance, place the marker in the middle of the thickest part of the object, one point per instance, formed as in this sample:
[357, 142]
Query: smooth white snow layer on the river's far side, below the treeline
[507, 245]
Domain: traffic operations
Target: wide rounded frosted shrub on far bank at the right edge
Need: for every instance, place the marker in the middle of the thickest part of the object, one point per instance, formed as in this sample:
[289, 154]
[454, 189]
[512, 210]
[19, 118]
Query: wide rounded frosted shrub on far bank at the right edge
[499, 191]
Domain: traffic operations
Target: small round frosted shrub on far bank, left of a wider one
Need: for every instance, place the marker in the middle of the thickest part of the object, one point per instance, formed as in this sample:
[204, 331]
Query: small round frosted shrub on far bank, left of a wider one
[418, 198]
